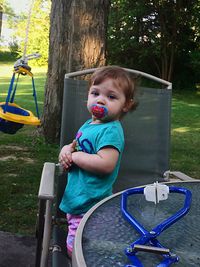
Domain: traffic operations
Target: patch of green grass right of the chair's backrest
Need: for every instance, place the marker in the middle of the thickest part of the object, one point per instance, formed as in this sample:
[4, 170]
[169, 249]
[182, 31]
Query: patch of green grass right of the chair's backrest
[185, 140]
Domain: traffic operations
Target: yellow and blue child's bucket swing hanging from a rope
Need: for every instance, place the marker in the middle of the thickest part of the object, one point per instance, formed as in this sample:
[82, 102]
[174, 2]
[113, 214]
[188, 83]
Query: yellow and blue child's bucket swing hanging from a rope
[12, 116]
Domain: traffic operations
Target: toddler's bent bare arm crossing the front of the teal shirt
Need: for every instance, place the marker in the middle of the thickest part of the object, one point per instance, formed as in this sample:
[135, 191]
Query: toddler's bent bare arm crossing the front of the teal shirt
[103, 162]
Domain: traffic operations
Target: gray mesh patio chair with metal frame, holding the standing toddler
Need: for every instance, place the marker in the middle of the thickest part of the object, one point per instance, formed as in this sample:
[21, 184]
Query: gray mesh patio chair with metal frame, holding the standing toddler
[145, 159]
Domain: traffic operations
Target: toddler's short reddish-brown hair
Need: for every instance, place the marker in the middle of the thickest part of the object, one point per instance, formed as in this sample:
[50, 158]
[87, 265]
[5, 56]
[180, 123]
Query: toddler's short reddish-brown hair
[121, 79]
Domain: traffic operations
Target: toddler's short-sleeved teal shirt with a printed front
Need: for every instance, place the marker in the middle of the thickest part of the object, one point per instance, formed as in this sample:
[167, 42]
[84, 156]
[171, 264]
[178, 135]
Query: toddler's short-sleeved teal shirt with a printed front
[84, 189]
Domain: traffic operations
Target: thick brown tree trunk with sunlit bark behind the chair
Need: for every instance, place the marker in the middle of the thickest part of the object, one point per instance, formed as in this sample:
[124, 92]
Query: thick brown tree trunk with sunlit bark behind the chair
[77, 41]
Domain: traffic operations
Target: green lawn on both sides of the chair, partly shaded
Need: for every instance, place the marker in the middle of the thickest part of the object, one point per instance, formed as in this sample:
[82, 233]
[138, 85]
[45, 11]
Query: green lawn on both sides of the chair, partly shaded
[22, 155]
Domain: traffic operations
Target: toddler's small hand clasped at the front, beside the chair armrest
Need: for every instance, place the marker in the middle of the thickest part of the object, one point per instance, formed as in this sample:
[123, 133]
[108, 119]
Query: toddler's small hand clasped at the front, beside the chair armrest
[65, 156]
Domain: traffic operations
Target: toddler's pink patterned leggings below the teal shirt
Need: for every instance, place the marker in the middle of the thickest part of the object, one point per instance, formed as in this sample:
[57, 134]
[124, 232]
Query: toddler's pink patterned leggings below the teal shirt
[73, 223]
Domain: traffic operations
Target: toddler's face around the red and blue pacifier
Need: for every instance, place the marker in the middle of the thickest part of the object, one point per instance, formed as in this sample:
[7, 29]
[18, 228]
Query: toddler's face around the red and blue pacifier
[108, 96]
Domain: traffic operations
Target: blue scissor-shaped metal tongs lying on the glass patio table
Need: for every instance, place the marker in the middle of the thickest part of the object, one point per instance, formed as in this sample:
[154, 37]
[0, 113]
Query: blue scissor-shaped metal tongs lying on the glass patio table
[149, 237]
